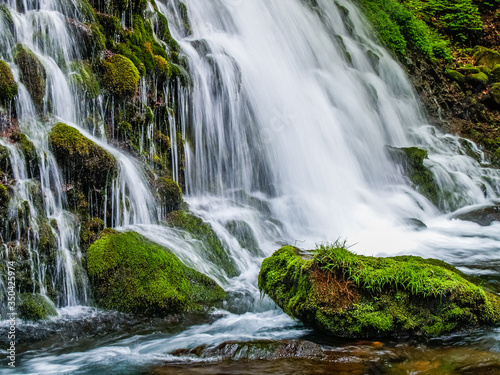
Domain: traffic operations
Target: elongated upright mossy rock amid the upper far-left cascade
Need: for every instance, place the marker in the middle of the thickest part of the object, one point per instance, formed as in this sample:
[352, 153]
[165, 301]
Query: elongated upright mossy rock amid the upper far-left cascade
[32, 73]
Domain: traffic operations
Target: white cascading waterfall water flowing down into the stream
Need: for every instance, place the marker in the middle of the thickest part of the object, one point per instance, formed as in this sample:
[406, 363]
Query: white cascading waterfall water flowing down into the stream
[290, 109]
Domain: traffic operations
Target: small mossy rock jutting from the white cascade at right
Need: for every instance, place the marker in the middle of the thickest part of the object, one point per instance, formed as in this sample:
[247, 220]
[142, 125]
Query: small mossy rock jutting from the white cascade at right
[411, 160]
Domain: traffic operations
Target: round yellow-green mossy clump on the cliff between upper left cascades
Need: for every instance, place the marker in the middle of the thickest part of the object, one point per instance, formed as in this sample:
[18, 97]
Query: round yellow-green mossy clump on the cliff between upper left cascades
[120, 76]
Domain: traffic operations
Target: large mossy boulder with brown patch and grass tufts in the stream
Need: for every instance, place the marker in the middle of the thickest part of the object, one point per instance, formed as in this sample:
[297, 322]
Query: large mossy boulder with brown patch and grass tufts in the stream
[347, 295]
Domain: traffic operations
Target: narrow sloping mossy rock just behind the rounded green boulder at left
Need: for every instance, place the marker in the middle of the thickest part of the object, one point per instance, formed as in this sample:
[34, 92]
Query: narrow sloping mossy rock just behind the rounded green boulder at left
[203, 232]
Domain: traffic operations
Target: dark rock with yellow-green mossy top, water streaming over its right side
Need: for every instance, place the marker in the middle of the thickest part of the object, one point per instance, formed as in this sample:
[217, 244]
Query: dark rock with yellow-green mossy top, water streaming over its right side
[83, 162]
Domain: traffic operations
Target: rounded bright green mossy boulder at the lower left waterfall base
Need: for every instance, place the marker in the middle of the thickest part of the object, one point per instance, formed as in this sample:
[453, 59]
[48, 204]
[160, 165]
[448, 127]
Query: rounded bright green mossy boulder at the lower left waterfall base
[132, 274]
